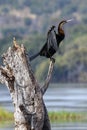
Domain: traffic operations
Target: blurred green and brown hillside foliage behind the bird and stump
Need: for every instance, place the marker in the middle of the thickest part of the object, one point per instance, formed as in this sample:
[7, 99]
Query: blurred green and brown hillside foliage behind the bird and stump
[29, 21]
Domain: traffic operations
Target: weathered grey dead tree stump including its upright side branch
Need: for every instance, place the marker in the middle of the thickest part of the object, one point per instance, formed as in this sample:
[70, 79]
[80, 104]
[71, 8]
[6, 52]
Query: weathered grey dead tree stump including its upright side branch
[27, 95]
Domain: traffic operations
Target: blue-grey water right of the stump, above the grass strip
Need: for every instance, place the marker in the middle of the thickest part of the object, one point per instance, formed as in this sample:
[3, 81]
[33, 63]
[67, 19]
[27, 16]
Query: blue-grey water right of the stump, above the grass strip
[66, 97]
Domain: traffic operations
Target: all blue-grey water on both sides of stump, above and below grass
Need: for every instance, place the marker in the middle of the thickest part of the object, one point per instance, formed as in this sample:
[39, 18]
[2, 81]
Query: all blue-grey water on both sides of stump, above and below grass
[59, 97]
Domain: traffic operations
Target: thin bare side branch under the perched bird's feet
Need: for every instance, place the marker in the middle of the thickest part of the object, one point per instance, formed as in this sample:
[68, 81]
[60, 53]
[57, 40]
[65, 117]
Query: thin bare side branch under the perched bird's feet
[47, 81]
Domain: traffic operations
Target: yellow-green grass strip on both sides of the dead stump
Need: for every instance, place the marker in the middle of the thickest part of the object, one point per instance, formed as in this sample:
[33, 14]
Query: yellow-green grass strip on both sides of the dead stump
[55, 117]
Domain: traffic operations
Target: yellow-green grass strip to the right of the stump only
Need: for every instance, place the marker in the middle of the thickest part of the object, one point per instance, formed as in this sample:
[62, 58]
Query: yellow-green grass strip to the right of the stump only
[67, 117]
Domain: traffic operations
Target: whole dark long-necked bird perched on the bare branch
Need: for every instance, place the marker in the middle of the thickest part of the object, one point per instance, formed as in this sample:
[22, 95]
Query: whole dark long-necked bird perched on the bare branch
[53, 41]
